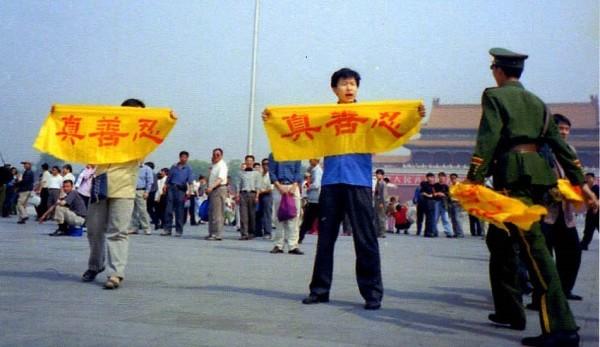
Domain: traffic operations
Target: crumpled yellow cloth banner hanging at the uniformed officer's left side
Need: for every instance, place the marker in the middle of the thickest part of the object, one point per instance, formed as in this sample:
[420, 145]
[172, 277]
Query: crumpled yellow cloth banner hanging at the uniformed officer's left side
[493, 207]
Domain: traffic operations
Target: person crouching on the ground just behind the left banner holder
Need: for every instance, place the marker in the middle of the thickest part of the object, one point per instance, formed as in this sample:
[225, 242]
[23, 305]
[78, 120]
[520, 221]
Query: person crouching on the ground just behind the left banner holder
[69, 211]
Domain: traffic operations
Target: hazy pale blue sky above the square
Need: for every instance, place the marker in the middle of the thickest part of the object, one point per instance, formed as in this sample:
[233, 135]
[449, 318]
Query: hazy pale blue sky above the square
[195, 57]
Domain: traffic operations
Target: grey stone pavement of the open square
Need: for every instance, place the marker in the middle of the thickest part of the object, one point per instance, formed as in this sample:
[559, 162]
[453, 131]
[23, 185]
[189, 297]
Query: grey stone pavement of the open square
[190, 292]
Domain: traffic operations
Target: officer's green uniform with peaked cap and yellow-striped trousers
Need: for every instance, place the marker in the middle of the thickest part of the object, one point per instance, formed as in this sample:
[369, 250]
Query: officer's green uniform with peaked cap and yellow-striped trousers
[512, 128]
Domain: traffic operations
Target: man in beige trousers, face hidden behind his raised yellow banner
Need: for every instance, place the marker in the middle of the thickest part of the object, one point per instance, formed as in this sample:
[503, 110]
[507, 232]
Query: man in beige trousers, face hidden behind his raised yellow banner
[115, 139]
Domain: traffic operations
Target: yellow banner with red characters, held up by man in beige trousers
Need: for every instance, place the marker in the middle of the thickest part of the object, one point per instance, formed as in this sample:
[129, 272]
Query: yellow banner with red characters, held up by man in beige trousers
[103, 134]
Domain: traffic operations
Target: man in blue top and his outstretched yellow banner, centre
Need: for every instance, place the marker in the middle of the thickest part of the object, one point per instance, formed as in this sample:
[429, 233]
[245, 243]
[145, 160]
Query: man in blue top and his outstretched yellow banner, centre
[347, 134]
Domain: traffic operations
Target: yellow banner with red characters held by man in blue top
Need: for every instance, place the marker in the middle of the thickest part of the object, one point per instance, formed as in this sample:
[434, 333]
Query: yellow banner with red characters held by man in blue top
[313, 131]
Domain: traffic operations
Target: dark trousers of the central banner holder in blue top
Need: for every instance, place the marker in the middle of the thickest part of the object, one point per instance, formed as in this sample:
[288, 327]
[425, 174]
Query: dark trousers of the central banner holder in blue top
[335, 201]
